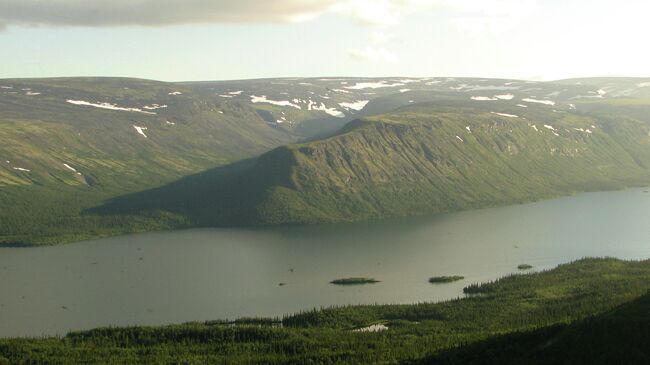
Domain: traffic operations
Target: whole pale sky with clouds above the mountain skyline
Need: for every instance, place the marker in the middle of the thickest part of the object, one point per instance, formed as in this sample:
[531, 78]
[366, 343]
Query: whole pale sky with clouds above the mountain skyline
[183, 40]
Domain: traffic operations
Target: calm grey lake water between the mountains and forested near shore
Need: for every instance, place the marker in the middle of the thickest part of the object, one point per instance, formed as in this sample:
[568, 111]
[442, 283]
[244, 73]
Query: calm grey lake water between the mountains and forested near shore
[203, 274]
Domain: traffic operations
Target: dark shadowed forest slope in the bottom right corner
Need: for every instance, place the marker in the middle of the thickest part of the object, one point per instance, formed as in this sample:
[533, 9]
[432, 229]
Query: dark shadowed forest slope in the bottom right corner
[621, 336]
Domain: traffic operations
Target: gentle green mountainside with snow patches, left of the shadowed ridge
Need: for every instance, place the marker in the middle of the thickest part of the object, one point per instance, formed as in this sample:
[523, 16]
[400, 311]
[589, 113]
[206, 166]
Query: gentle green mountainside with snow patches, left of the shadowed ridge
[69, 144]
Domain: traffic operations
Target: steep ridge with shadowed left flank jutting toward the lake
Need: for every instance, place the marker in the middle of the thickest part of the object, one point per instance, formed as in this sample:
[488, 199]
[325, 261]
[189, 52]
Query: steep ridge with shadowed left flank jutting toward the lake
[426, 158]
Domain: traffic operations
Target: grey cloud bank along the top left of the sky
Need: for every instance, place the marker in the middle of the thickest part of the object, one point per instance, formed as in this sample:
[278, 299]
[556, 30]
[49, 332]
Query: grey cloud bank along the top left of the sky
[177, 12]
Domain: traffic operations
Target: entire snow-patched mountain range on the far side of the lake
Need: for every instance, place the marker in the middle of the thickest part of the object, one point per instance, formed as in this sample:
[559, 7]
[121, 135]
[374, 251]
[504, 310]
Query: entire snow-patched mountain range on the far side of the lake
[85, 158]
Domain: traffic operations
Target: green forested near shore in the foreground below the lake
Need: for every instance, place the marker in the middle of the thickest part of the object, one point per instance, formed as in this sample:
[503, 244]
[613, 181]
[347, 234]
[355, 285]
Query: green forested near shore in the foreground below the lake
[566, 310]
